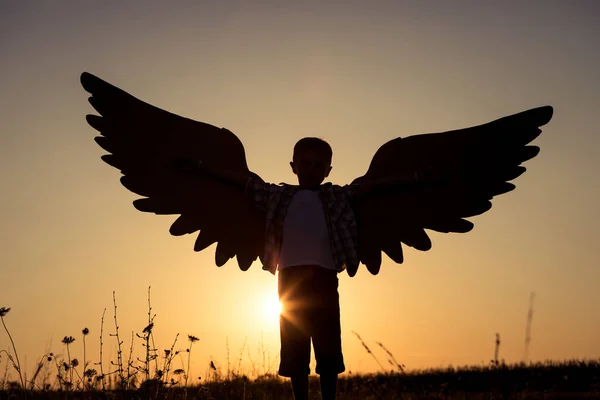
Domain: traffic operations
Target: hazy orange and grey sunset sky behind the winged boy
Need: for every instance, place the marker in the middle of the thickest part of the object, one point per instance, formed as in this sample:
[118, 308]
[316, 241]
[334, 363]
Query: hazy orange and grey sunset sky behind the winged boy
[357, 73]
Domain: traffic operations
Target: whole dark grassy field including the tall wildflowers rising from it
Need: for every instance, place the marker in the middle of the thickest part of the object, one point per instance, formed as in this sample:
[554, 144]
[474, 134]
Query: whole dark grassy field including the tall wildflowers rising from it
[153, 377]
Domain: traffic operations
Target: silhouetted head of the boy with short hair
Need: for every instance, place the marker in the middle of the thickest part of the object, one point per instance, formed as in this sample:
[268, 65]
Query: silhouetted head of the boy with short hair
[311, 161]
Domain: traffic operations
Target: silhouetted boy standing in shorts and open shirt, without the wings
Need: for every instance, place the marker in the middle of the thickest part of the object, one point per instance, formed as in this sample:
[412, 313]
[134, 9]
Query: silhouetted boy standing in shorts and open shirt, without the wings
[311, 236]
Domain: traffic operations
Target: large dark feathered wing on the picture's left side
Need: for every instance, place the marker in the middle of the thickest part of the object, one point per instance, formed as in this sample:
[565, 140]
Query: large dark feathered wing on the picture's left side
[148, 144]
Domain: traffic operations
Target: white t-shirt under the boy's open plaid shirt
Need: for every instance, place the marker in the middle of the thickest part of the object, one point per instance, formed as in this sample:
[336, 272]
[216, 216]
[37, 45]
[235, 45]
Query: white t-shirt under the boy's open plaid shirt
[305, 233]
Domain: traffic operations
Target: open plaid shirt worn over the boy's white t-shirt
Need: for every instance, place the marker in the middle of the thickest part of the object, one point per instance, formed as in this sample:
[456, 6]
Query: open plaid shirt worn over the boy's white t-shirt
[340, 219]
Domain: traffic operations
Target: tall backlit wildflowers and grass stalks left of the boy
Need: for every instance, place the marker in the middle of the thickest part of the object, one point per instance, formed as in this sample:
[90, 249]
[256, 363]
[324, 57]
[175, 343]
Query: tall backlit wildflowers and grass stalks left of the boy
[123, 374]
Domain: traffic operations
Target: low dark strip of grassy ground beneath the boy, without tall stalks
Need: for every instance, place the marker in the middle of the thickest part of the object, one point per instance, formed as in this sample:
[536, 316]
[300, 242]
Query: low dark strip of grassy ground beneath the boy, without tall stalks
[569, 380]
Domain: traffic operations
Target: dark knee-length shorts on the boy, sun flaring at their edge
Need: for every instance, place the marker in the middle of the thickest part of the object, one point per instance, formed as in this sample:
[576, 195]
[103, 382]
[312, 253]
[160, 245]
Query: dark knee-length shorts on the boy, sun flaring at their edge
[311, 310]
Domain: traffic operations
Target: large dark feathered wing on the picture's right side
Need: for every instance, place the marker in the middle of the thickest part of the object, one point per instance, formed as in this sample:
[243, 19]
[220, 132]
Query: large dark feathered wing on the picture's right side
[466, 168]
